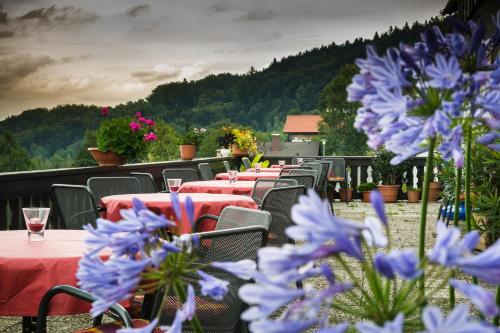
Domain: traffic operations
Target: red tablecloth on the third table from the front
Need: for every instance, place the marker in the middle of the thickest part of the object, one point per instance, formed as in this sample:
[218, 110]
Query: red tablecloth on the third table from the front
[218, 187]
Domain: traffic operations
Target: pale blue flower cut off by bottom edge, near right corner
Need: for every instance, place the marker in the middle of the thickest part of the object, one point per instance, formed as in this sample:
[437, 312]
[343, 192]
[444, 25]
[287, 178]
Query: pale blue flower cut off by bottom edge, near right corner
[457, 321]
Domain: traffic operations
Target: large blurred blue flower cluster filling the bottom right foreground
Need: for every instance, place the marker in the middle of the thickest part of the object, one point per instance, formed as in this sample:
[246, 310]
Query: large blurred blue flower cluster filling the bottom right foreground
[324, 235]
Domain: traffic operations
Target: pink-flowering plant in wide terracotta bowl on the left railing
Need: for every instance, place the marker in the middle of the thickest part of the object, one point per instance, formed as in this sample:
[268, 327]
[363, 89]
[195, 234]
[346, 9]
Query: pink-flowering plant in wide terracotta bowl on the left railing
[122, 138]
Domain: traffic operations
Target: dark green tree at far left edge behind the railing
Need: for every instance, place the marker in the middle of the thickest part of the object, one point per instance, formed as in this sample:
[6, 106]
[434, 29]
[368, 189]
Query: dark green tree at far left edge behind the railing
[13, 157]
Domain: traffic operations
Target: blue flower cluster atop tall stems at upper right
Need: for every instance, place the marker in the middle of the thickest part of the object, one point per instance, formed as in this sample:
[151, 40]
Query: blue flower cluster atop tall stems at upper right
[437, 88]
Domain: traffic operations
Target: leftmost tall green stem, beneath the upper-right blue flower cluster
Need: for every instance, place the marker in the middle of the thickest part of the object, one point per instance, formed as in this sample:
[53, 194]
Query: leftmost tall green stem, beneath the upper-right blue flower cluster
[429, 165]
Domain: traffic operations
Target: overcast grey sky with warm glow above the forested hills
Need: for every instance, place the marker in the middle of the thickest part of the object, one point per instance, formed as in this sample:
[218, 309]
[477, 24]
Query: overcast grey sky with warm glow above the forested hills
[110, 51]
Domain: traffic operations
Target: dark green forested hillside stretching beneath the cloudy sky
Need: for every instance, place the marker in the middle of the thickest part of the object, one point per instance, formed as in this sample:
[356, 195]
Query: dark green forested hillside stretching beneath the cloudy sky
[260, 99]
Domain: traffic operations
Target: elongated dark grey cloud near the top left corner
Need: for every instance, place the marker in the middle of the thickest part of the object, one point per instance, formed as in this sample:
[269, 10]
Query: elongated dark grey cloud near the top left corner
[53, 16]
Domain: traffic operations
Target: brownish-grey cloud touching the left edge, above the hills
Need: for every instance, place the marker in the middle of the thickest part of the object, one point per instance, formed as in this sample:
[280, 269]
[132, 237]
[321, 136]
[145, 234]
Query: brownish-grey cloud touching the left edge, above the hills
[15, 68]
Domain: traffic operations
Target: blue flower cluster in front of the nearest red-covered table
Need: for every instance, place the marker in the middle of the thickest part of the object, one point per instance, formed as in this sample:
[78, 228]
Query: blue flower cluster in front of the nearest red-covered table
[138, 254]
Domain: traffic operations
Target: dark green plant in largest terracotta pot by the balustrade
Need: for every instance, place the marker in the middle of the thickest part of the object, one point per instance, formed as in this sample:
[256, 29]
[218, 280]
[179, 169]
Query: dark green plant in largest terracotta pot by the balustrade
[388, 173]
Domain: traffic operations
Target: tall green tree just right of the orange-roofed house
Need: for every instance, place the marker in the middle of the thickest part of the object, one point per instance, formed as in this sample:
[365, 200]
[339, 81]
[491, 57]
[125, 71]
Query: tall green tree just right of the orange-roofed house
[338, 116]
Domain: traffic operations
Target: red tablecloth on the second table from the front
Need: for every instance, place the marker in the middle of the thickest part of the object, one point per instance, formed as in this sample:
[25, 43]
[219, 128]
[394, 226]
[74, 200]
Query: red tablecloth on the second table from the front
[204, 203]
